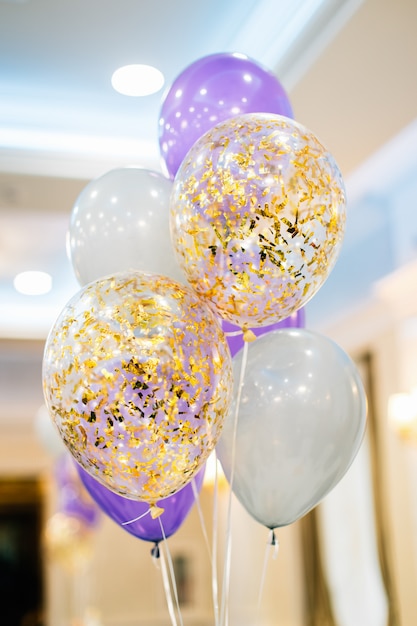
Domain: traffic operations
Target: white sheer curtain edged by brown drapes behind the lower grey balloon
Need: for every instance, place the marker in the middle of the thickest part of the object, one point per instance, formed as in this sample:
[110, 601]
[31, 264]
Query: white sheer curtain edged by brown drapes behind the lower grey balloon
[346, 539]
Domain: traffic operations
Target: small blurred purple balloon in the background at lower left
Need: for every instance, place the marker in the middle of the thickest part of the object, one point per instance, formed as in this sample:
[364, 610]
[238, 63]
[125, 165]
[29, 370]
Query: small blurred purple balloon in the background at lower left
[73, 499]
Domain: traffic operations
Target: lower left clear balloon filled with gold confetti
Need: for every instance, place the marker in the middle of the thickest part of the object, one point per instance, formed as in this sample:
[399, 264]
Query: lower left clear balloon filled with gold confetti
[137, 377]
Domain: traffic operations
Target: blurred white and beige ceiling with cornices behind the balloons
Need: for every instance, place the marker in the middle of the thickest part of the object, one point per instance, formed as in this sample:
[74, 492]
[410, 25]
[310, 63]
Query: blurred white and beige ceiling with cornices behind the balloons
[348, 66]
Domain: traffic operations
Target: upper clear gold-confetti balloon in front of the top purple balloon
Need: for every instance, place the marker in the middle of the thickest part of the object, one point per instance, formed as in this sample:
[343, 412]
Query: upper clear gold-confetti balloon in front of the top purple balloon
[257, 218]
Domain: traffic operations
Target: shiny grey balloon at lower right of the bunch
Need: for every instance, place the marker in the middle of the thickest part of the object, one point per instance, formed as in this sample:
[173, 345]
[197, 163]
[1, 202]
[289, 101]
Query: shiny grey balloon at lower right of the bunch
[302, 417]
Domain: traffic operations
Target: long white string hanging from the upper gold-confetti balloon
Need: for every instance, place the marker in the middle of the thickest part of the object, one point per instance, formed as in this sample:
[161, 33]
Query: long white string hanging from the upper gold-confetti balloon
[227, 563]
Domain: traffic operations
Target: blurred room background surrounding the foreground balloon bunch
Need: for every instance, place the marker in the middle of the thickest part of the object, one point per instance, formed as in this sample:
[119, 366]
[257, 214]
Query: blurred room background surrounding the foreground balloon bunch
[349, 69]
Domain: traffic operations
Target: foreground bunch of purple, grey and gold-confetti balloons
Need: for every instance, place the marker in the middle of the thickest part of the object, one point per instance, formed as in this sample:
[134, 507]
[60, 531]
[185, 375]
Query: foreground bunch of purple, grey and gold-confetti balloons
[178, 273]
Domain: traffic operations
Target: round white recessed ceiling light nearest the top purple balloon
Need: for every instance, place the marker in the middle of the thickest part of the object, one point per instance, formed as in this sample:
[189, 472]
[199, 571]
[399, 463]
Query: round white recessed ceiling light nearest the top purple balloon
[137, 80]
